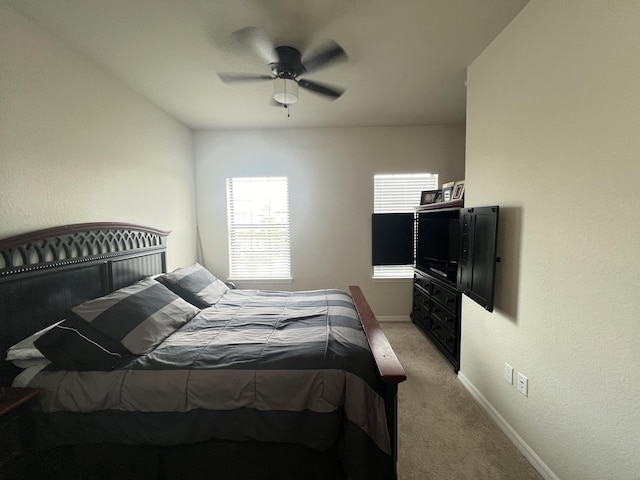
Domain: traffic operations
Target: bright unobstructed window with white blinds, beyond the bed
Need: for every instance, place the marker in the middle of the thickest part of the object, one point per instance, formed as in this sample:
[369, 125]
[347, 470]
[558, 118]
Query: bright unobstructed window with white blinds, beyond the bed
[258, 216]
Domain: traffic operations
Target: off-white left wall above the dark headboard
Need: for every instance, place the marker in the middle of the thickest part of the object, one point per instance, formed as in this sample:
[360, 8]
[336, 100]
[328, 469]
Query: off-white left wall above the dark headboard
[78, 146]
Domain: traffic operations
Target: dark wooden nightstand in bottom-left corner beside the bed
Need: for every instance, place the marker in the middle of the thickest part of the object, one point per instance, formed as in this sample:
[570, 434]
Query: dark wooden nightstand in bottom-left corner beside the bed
[14, 422]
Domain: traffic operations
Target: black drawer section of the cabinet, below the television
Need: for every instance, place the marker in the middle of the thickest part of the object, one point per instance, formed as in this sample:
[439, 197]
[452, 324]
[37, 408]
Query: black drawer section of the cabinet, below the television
[436, 310]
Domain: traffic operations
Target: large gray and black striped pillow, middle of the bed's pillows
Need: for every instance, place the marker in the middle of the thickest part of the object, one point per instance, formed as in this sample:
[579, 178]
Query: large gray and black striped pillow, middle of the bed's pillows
[139, 316]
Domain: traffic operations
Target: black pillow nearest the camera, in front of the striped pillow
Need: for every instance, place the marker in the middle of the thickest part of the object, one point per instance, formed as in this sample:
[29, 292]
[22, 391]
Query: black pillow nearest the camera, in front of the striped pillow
[74, 345]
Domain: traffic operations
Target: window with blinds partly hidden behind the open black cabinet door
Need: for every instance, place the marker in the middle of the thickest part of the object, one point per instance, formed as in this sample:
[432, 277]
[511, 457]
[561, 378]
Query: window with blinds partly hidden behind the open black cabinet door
[399, 194]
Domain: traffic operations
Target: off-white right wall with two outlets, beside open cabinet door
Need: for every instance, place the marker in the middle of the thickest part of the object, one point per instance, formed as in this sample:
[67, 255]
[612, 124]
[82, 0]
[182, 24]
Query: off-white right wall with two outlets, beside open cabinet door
[553, 116]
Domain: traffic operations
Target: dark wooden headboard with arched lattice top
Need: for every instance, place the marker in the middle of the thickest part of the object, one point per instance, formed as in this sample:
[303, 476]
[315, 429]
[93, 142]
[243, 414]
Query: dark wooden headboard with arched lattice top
[45, 273]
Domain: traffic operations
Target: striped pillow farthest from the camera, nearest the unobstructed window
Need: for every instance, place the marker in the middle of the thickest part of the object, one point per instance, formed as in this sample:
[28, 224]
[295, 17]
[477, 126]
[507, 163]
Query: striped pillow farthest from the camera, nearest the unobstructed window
[195, 284]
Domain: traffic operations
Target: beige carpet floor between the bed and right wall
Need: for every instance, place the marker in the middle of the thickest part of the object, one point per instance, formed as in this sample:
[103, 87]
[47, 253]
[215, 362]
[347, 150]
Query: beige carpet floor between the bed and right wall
[443, 432]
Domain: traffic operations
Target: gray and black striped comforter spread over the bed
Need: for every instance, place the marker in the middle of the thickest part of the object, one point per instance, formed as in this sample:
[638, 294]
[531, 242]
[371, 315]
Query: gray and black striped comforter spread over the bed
[258, 365]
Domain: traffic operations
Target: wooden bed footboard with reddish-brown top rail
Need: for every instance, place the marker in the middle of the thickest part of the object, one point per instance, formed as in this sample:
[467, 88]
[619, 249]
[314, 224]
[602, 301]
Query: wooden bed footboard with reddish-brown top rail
[389, 367]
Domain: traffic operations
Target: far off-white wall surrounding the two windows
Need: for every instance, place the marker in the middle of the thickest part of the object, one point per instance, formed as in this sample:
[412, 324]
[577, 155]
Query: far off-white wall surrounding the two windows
[330, 194]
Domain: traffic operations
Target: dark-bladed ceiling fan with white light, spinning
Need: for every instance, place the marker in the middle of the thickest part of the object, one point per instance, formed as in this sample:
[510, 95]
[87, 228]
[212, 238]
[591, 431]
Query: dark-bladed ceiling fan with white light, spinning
[287, 66]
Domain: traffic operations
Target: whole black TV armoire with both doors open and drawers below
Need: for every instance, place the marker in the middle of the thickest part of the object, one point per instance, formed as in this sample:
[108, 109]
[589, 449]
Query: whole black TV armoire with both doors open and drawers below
[460, 243]
